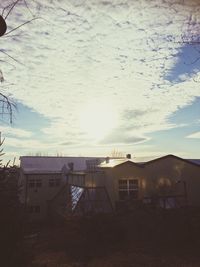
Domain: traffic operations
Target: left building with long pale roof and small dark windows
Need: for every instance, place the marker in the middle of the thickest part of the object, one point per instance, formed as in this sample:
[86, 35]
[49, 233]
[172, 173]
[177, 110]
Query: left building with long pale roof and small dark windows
[44, 177]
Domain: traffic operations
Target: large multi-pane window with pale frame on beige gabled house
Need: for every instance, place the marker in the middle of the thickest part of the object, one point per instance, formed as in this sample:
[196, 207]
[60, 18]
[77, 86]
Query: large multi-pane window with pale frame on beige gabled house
[128, 189]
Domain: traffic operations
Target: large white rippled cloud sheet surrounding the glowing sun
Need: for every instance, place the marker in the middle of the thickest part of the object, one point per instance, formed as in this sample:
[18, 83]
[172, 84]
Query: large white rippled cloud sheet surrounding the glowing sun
[92, 51]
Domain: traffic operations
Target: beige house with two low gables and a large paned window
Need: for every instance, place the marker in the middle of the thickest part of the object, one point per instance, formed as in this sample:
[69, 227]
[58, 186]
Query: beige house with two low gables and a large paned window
[169, 180]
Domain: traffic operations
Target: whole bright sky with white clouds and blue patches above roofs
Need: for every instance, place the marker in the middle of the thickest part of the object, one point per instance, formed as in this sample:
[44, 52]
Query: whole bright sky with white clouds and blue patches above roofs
[90, 77]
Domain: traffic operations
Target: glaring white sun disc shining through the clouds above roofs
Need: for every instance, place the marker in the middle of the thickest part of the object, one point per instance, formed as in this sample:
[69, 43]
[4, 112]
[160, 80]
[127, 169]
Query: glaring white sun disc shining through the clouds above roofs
[97, 120]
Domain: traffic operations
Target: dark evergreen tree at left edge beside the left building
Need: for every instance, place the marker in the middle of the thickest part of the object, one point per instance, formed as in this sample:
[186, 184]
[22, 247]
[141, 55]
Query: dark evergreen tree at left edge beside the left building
[10, 209]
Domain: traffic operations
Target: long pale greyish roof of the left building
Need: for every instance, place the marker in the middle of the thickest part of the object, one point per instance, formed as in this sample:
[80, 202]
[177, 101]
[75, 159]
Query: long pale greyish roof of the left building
[41, 164]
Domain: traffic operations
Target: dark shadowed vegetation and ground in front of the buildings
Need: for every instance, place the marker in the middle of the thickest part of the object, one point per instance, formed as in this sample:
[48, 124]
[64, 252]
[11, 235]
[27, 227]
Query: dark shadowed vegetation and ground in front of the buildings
[144, 238]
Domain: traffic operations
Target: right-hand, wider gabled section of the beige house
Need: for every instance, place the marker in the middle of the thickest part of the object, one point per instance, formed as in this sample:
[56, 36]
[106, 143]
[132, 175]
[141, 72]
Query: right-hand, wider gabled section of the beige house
[174, 176]
